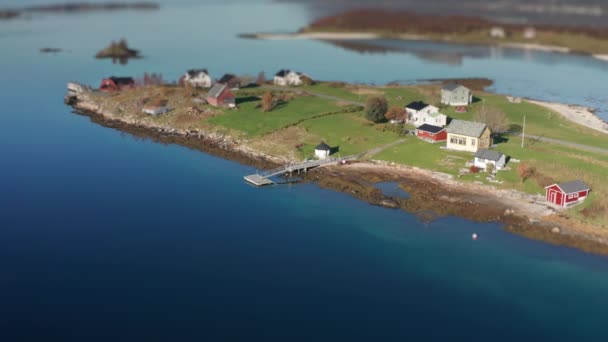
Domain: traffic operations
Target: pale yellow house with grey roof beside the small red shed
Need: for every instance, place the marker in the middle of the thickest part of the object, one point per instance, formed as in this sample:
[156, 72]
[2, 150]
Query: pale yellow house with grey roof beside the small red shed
[468, 136]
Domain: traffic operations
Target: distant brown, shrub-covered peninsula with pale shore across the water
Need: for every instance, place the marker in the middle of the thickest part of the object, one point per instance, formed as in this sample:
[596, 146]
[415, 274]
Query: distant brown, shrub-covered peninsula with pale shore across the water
[384, 24]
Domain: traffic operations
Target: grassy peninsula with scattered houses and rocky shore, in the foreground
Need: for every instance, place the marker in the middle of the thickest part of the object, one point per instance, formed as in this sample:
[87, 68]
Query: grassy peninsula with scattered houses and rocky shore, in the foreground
[290, 119]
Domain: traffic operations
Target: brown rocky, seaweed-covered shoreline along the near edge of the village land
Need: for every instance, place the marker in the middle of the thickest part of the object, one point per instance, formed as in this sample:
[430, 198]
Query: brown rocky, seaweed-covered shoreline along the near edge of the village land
[430, 195]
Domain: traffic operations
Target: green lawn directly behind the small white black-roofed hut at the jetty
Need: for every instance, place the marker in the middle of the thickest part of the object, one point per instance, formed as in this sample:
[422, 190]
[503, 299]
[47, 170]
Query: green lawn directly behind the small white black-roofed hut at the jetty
[350, 132]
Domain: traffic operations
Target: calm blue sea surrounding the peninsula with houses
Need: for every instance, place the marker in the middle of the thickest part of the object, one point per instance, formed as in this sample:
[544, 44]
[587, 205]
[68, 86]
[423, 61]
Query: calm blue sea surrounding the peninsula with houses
[105, 237]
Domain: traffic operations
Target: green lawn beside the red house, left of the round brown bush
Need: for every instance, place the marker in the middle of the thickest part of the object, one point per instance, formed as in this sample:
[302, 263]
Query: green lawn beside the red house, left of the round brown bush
[254, 122]
